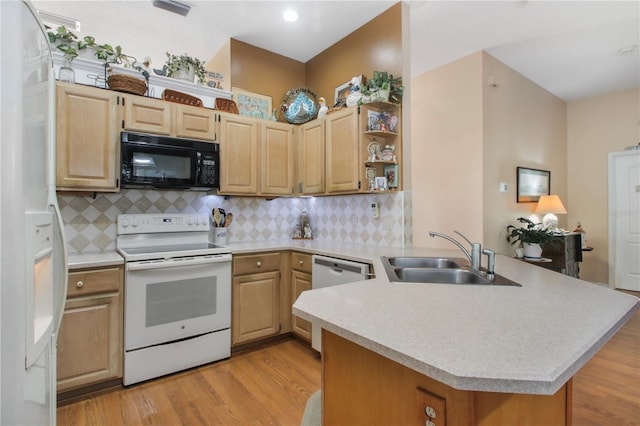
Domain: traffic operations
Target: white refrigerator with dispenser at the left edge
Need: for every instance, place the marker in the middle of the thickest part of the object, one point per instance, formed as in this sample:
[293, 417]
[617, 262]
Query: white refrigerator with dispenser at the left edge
[32, 248]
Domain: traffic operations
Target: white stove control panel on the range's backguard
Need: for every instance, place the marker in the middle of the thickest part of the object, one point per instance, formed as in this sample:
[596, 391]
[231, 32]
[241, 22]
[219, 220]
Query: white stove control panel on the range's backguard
[162, 222]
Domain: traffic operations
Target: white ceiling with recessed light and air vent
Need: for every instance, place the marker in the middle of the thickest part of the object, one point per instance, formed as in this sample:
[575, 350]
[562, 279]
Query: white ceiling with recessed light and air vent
[567, 47]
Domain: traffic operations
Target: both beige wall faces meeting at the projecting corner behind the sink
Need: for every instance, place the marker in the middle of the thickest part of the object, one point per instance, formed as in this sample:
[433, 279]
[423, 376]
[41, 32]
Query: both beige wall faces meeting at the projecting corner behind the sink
[468, 136]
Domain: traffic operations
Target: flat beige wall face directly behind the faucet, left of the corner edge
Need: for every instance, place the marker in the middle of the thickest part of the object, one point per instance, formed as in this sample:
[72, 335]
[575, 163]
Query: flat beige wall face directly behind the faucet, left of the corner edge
[446, 135]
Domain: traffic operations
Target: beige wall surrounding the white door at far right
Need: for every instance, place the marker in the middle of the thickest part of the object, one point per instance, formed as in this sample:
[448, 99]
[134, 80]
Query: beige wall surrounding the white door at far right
[597, 126]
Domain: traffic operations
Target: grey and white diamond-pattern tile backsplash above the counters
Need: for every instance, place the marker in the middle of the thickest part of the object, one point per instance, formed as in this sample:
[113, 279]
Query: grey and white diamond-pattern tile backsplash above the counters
[90, 223]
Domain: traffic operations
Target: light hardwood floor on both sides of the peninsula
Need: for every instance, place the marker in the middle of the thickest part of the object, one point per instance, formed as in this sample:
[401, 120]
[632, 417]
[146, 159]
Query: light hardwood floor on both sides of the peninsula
[271, 384]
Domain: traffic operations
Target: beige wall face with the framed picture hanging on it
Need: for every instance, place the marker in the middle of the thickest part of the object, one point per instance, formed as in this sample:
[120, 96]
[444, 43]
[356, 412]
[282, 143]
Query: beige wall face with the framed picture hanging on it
[523, 125]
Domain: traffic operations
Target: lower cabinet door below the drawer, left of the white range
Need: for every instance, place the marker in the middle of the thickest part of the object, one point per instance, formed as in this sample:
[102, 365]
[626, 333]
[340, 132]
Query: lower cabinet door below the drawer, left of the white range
[90, 341]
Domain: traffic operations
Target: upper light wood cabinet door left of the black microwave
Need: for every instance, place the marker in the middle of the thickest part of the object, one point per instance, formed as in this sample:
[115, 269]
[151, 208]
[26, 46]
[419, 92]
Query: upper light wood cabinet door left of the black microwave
[87, 152]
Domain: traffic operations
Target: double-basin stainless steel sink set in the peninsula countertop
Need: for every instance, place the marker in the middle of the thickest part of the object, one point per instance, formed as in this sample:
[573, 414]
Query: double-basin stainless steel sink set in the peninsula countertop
[437, 270]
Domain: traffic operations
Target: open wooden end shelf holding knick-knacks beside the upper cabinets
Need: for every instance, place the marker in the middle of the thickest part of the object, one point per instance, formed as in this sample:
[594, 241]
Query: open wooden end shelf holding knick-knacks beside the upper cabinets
[382, 146]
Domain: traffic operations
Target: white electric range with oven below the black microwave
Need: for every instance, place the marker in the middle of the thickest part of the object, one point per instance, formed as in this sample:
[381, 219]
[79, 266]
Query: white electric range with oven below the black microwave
[177, 288]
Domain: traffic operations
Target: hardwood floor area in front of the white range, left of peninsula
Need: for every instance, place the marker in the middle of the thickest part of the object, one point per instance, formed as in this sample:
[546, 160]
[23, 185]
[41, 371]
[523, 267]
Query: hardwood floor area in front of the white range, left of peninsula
[269, 385]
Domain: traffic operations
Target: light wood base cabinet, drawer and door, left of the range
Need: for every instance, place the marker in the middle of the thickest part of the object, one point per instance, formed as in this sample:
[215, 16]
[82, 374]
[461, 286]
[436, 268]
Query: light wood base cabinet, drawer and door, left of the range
[90, 341]
